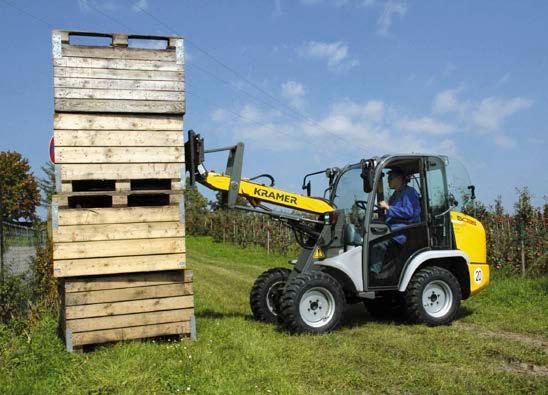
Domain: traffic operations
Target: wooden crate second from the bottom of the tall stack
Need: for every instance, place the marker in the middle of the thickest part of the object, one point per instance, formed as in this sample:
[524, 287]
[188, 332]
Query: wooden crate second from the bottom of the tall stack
[109, 240]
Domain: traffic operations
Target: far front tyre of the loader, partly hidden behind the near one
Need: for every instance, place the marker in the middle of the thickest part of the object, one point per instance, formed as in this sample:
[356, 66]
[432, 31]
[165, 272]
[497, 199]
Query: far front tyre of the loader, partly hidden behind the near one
[264, 294]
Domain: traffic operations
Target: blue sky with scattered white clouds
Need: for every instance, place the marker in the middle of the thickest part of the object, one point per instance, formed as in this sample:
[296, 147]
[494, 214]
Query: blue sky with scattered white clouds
[311, 84]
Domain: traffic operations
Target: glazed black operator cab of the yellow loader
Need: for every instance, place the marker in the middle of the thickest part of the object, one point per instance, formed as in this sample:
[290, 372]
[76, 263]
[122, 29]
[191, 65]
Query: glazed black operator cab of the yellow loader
[390, 247]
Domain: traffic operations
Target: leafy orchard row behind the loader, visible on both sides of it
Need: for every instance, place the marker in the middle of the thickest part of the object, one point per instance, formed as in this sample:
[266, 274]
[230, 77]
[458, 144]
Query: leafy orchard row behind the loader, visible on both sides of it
[513, 244]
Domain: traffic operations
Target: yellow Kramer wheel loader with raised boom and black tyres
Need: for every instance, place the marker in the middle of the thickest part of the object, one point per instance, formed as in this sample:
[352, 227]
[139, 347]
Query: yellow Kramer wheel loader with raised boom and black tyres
[441, 261]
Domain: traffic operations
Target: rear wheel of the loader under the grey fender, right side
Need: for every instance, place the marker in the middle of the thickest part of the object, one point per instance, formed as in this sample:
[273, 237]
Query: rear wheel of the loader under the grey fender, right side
[433, 296]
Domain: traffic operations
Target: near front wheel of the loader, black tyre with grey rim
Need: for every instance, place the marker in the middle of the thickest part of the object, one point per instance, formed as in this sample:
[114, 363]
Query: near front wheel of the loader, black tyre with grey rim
[312, 303]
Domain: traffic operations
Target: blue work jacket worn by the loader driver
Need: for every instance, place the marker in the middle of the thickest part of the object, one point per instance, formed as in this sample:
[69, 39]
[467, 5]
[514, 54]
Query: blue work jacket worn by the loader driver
[404, 209]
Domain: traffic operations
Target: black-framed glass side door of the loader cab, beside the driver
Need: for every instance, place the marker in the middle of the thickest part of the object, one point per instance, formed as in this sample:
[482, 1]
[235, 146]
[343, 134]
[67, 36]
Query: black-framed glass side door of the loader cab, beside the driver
[388, 247]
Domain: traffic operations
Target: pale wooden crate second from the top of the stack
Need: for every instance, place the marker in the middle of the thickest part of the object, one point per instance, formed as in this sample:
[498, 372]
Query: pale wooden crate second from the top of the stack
[118, 147]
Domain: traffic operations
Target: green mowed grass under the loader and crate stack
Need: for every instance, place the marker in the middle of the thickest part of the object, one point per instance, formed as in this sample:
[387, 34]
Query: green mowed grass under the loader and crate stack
[498, 345]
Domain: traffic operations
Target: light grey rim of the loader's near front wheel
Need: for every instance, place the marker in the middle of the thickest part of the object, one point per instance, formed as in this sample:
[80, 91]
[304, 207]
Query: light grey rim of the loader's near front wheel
[317, 307]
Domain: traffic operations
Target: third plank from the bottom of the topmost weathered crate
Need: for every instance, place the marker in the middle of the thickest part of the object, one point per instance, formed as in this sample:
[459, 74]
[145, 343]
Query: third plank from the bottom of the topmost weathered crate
[94, 83]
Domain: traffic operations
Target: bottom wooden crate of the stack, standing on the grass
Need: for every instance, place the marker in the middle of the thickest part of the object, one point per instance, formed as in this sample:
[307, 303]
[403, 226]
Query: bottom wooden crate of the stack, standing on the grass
[102, 309]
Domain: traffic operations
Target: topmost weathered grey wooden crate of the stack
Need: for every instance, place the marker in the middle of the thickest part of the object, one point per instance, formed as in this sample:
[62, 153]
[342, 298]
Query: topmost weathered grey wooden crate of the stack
[118, 78]
